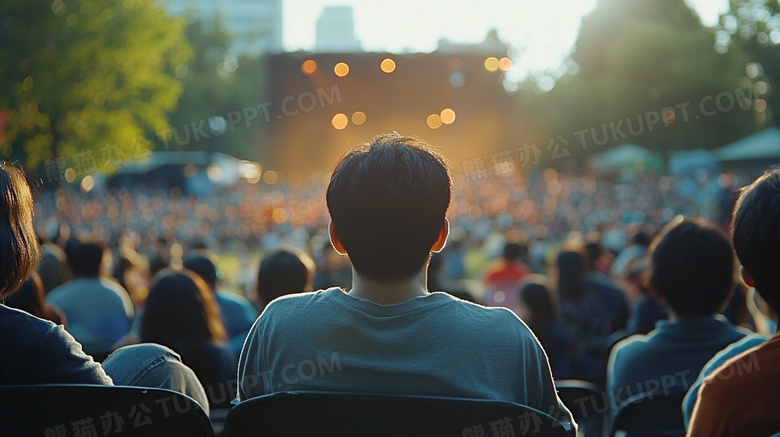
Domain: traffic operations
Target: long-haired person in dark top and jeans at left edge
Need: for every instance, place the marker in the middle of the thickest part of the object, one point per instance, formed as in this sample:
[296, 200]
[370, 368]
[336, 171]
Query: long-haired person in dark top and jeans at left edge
[36, 351]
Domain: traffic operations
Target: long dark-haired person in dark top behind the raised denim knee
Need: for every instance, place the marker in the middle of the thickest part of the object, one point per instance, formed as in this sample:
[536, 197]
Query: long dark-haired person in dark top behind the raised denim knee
[180, 312]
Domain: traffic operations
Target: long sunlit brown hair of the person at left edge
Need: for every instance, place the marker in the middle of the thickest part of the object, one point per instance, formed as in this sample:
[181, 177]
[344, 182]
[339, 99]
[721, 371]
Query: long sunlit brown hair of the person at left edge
[20, 250]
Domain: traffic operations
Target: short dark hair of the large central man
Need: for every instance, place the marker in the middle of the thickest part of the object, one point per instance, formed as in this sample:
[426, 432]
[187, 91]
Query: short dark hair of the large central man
[388, 200]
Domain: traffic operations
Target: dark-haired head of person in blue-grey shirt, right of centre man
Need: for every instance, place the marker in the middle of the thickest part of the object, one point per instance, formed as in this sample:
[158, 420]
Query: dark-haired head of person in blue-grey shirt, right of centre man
[691, 267]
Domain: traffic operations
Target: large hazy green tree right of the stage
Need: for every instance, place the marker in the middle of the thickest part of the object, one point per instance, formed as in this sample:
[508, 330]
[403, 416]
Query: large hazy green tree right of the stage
[647, 73]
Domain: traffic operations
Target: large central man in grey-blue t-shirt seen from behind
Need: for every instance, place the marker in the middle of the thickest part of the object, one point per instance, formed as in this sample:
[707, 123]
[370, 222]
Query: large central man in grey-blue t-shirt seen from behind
[389, 334]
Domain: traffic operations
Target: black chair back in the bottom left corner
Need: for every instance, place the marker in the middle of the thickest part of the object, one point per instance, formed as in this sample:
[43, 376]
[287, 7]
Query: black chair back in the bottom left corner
[96, 410]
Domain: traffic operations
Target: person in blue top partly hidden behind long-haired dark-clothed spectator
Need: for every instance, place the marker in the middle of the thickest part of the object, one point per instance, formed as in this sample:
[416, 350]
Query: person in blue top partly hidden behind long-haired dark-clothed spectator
[237, 312]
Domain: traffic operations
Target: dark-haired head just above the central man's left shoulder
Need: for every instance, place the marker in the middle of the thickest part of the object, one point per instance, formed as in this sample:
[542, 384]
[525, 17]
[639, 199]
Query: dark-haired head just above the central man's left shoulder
[283, 272]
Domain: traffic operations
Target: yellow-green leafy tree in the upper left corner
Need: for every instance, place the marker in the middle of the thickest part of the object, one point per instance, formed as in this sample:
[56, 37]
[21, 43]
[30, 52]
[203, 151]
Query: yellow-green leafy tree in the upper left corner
[83, 75]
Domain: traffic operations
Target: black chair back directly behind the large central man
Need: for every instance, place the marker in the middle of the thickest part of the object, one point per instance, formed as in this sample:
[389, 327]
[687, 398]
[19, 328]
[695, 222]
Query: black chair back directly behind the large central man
[326, 414]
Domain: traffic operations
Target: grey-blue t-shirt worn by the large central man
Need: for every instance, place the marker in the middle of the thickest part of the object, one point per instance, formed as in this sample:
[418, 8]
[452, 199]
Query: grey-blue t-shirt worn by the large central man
[435, 345]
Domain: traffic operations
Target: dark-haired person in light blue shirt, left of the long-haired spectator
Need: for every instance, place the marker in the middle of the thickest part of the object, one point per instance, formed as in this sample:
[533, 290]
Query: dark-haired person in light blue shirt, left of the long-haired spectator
[99, 311]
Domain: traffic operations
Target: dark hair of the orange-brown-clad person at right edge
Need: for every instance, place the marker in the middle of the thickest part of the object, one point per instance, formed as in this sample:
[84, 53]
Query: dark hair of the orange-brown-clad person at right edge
[756, 234]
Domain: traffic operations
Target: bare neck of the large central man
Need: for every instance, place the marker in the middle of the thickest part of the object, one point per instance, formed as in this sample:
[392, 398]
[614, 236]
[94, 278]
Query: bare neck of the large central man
[388, 293]
